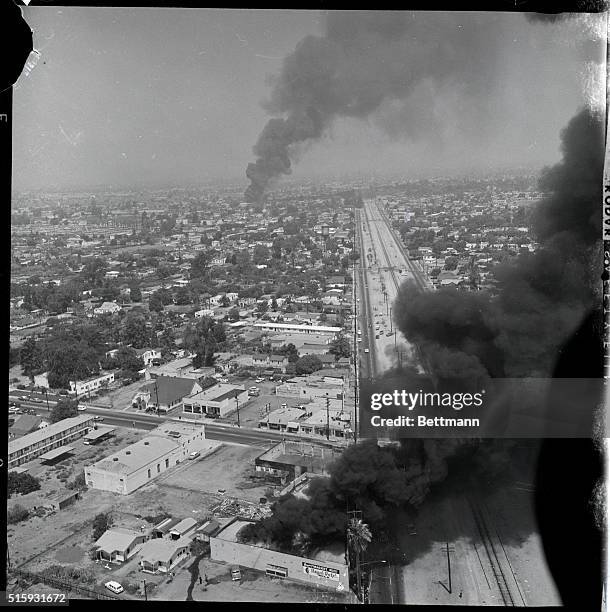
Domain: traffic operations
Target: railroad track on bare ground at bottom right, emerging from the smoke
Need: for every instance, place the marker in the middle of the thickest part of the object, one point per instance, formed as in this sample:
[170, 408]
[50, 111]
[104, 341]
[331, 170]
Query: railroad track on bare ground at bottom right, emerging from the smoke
[501, 569]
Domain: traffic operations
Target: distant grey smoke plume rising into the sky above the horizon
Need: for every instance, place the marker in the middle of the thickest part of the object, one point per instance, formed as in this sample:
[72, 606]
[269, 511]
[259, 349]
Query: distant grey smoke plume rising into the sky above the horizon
[363, 60]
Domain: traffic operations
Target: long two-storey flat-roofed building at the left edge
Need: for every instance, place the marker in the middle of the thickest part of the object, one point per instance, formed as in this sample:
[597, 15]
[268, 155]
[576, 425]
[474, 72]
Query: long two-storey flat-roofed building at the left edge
[42, 441]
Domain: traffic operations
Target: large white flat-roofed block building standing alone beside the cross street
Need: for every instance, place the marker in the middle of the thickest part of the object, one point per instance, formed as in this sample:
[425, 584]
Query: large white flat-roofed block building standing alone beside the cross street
[134, 466]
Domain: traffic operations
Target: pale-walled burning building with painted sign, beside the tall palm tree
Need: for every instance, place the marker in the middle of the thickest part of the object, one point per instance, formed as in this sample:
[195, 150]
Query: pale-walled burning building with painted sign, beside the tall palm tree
[323, 570]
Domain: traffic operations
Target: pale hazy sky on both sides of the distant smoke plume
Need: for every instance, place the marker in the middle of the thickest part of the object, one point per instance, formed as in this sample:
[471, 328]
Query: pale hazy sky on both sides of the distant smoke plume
[173, 96]
